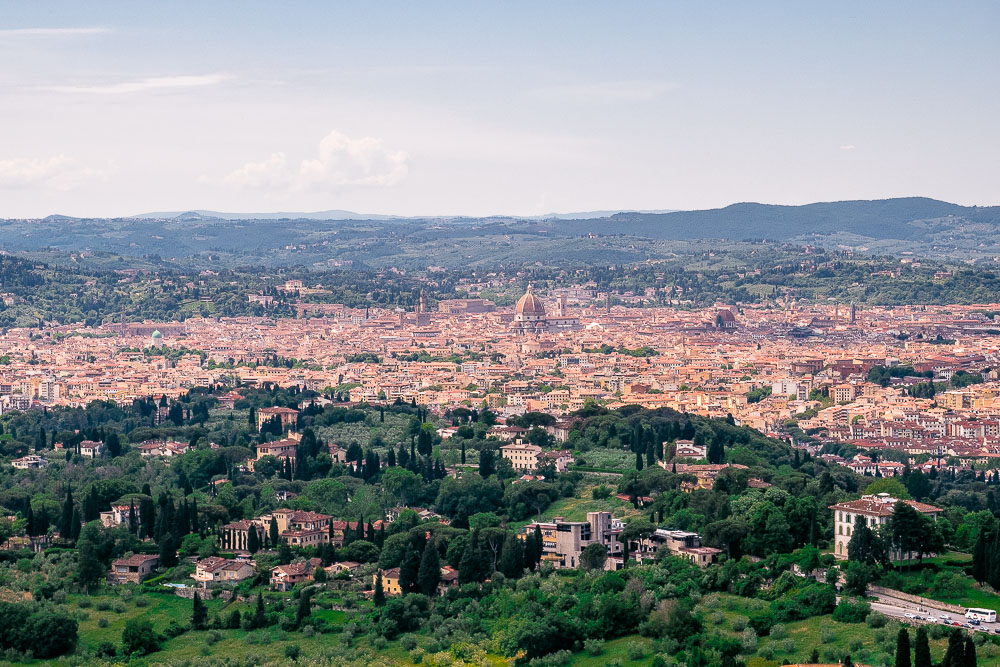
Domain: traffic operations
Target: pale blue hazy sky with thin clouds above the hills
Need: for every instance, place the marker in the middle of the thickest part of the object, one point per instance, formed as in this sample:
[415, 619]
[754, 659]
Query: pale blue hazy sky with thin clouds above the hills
[517, 108]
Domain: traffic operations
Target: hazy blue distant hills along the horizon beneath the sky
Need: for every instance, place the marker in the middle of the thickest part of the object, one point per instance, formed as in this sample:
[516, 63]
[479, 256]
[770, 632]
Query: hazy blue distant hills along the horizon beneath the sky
[913, 225]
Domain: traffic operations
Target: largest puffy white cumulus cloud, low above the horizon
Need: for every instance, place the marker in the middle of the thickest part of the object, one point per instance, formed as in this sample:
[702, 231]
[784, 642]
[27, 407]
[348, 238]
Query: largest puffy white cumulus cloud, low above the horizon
[341, 162]
